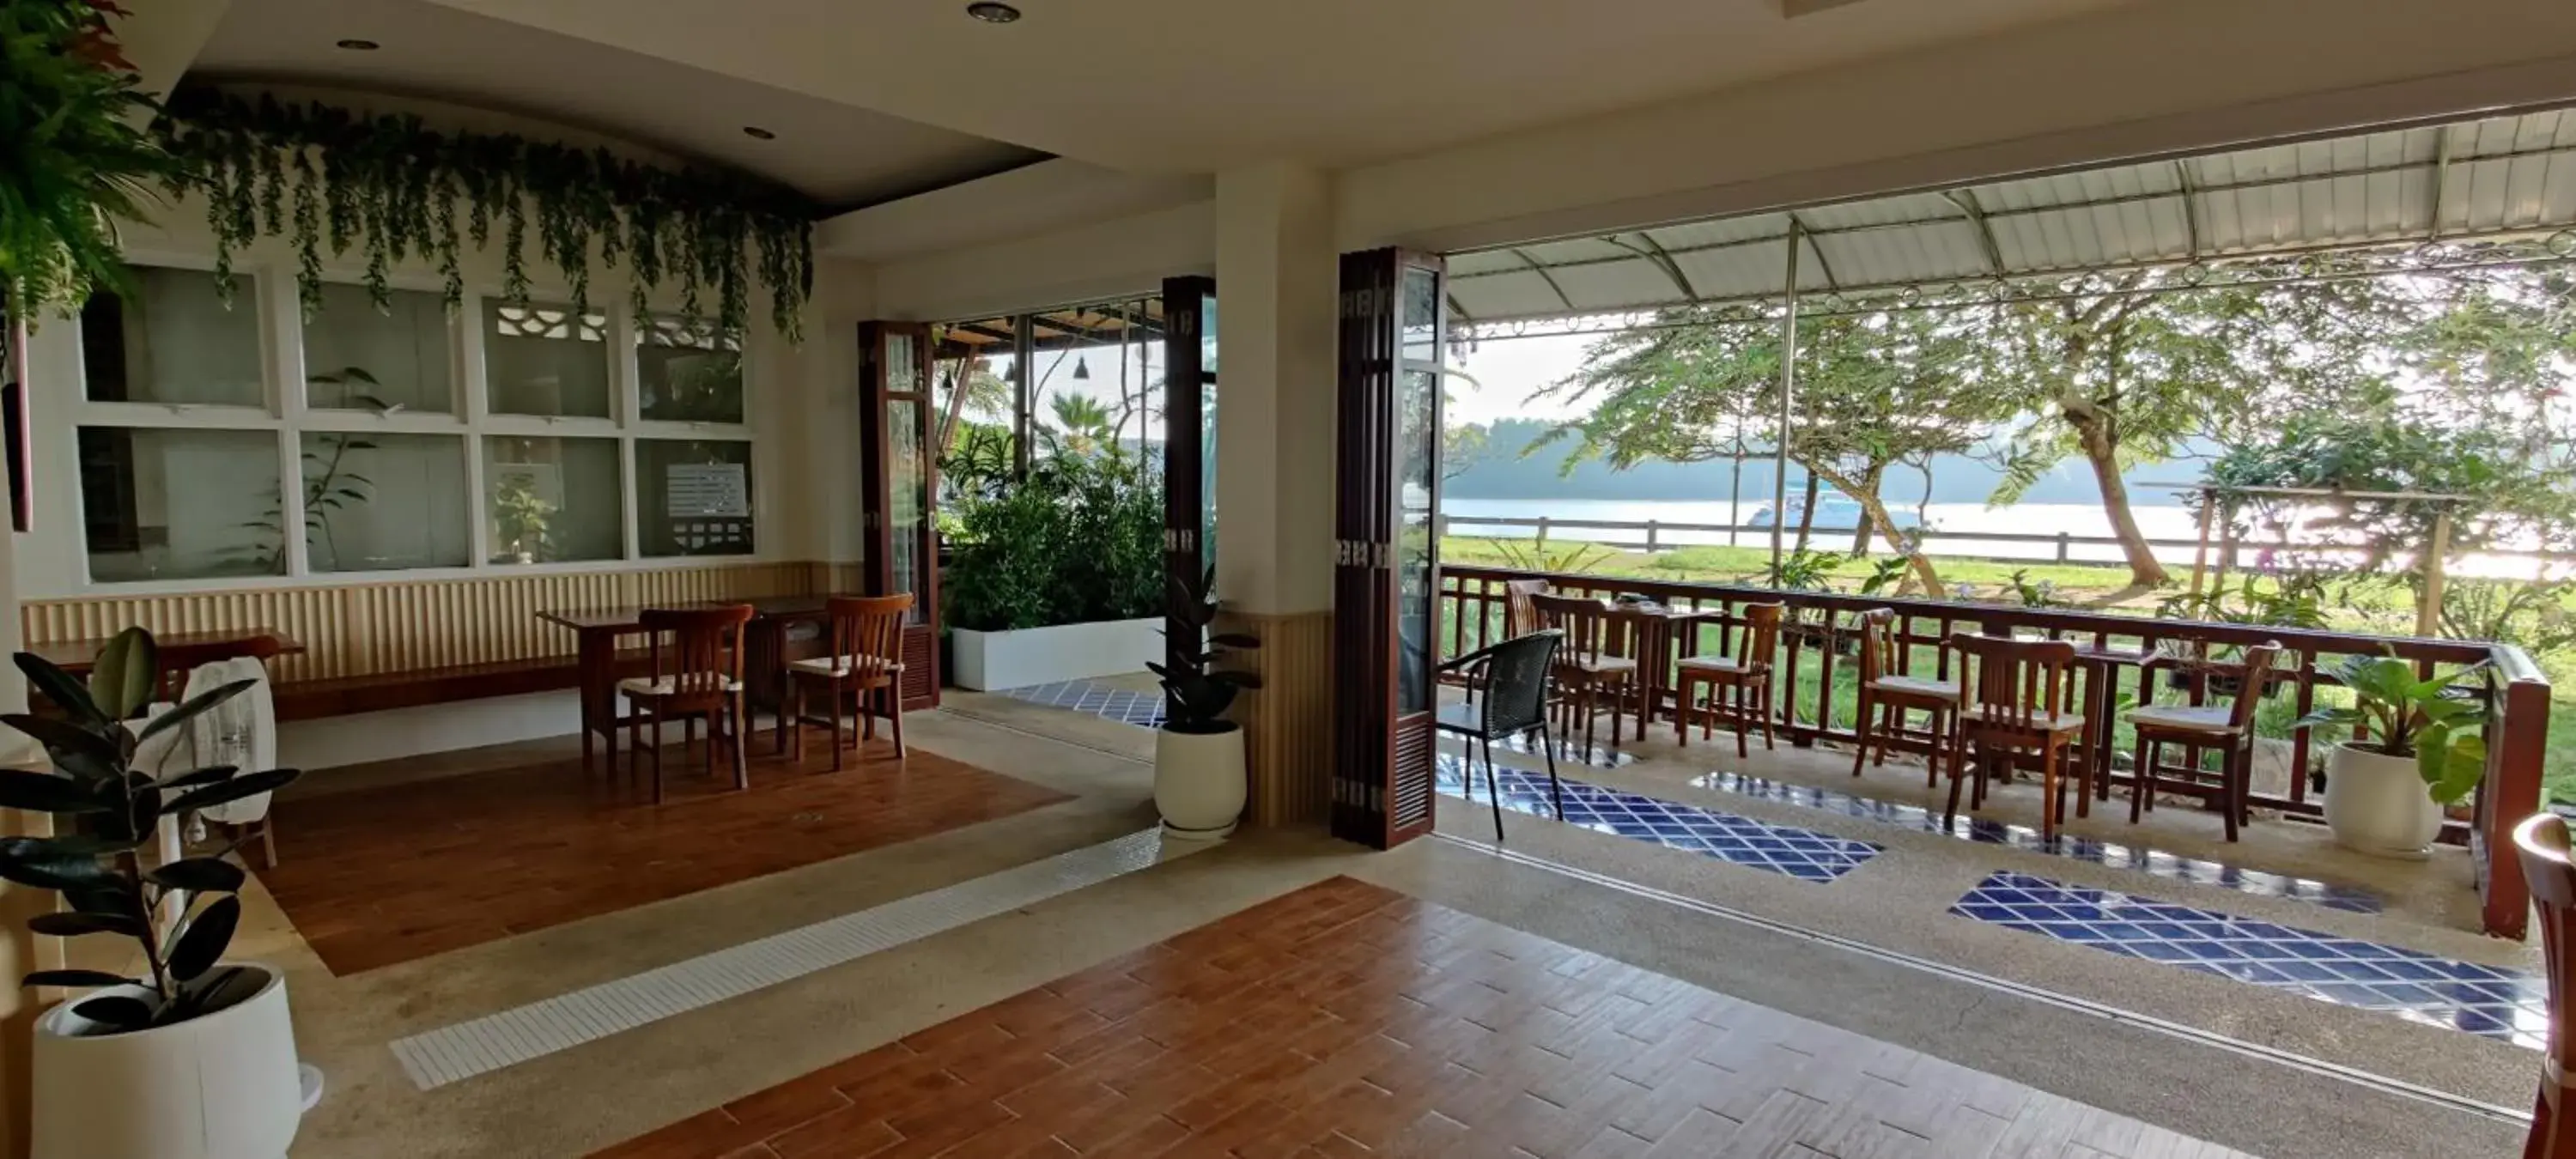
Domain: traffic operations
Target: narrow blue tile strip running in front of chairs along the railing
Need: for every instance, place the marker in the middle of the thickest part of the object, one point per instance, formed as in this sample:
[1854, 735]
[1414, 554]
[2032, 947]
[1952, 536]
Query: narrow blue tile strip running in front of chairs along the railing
[2067, 846]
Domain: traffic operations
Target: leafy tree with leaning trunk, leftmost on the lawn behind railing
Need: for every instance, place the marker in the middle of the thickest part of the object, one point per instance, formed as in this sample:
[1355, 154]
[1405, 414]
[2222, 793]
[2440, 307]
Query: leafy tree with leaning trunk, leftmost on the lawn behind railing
[1874, 393]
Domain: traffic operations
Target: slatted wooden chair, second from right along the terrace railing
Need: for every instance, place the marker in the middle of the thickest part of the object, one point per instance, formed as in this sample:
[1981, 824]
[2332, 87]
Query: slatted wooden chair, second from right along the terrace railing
[2016, 699]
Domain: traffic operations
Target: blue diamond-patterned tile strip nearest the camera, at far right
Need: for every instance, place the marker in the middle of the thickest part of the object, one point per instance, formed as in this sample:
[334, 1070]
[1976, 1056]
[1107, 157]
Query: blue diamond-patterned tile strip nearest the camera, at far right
[2461, 995]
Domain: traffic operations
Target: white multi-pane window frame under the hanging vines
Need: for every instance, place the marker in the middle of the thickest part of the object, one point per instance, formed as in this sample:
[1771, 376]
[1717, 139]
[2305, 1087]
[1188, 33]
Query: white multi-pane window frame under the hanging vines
[272, 292]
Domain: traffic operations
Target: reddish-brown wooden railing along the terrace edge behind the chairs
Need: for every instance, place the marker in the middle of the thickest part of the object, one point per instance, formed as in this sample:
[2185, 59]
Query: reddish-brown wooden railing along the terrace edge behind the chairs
[1472, 614]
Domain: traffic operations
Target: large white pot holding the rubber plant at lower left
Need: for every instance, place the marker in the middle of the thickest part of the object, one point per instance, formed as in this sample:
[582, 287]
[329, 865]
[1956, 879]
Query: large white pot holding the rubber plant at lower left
[210, 1088]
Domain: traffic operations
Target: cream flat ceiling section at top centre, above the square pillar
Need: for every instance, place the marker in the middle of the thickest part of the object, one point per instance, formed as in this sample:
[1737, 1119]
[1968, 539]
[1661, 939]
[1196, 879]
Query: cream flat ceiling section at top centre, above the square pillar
[1194, 86]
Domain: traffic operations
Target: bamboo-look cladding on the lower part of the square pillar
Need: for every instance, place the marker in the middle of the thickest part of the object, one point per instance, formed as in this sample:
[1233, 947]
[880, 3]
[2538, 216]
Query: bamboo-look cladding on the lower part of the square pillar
[1289, 720]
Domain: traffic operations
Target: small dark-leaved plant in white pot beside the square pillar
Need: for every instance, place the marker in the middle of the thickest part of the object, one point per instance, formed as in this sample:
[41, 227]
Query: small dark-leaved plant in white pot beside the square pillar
[1199, 753]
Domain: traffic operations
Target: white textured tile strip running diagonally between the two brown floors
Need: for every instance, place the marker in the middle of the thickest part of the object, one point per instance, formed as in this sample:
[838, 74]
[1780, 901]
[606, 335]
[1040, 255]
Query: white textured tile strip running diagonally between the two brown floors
[537, 1029]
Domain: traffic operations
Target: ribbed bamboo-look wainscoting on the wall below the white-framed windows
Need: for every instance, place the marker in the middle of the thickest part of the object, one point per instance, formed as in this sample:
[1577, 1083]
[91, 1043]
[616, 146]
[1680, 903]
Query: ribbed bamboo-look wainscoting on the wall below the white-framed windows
[406, 627]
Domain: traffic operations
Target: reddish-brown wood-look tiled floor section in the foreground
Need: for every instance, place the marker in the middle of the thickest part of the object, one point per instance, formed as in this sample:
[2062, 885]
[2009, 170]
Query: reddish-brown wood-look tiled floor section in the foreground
[1349, 1021]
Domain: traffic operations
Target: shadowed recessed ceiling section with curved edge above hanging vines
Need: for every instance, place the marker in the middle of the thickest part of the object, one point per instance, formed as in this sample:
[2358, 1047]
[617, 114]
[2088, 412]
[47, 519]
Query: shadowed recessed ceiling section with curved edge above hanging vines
[831, 151]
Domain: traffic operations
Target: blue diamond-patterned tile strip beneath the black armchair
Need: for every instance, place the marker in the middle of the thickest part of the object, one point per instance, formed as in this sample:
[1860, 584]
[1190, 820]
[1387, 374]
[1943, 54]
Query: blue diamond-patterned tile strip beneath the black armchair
[1740, 841]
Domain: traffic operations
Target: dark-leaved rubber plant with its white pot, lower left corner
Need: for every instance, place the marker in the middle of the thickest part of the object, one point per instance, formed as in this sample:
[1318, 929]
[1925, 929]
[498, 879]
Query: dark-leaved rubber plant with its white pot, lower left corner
[194, 1057]
